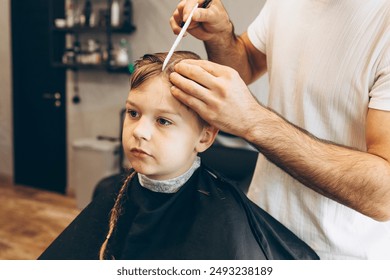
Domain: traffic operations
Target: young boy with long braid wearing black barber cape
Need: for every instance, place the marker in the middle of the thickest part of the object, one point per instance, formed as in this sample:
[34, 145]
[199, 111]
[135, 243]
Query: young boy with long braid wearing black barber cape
[171, 206]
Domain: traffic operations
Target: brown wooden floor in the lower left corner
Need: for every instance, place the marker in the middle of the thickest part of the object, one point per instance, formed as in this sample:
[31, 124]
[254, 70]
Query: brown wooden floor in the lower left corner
[30, 219]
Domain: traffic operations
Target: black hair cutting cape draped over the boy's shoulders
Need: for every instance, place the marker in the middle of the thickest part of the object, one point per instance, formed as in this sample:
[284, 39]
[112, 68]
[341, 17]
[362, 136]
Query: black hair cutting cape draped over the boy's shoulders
[208, 218]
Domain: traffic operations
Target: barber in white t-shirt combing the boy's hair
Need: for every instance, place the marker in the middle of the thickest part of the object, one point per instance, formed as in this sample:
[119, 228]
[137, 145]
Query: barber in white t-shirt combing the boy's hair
[324, 136]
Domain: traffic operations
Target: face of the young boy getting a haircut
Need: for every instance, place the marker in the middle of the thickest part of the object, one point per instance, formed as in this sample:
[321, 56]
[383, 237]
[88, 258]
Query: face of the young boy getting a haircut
[161, 137]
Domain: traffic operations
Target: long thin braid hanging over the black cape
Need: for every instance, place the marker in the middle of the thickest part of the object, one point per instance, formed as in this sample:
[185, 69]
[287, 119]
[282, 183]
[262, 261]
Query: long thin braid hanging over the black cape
[115, 213]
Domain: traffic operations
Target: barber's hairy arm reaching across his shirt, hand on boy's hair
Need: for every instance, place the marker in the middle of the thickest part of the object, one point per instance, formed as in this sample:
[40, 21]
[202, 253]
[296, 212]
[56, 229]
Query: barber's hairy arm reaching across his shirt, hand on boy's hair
[360, 180]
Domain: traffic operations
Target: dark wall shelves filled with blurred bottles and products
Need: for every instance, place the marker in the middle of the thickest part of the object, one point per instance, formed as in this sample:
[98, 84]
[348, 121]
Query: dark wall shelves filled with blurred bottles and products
[92, 38]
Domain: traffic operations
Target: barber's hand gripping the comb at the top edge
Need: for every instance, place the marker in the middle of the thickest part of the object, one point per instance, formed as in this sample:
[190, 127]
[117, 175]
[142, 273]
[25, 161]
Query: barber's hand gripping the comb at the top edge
[207, 23]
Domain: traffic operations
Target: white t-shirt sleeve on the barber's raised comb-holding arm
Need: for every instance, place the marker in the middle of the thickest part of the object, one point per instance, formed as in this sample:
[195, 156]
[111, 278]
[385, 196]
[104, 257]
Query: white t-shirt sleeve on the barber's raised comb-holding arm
[258, 29]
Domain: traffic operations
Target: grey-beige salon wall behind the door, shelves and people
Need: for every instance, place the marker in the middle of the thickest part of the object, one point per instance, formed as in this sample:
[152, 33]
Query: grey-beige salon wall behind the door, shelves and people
[103, 94]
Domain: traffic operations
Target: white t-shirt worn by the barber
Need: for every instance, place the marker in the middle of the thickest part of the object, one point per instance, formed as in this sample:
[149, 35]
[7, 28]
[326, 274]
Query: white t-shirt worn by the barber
[328, 62]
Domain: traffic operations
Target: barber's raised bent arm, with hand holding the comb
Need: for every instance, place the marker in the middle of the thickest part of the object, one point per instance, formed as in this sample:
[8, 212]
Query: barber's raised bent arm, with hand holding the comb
[212, 25]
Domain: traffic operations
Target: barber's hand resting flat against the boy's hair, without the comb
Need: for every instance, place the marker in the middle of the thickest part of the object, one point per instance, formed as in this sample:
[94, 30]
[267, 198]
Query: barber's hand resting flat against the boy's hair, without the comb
[217, 93]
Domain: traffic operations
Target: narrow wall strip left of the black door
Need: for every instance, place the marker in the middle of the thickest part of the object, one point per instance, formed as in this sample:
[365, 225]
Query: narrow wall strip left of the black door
[6, 132]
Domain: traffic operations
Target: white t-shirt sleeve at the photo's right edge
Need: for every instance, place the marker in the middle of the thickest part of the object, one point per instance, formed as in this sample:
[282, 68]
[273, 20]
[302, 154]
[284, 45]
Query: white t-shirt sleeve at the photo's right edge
[380, 92]
